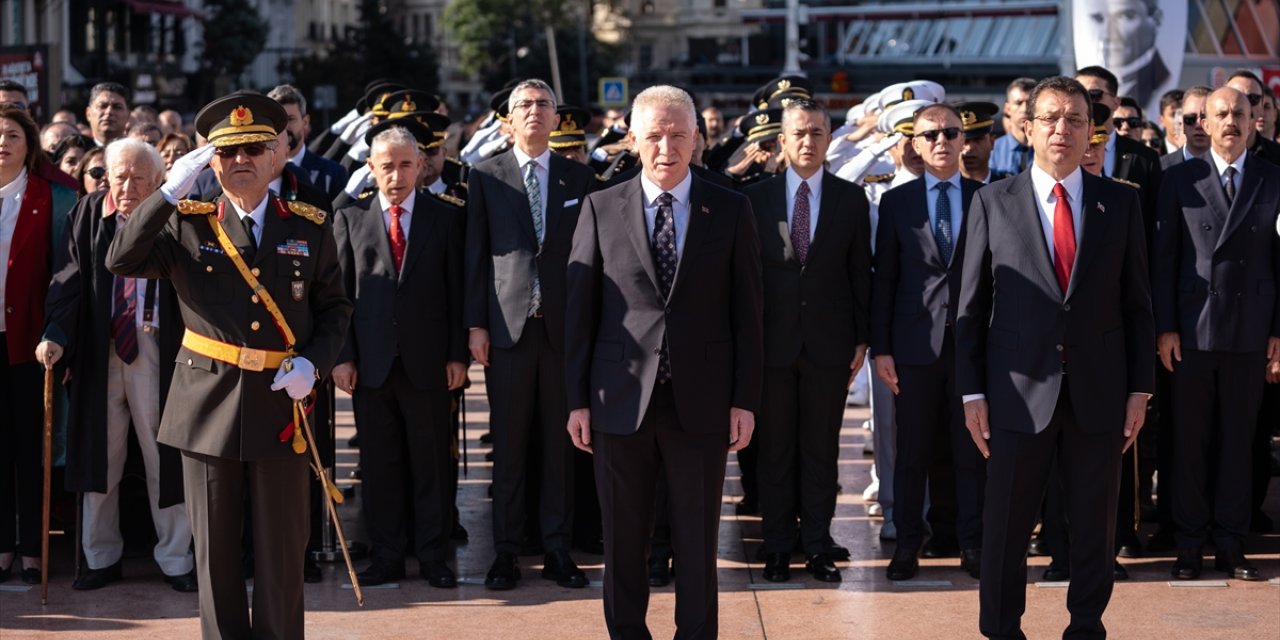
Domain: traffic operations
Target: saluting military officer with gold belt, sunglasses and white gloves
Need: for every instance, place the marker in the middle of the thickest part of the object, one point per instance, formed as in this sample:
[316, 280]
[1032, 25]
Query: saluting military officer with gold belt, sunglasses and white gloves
[262, 296]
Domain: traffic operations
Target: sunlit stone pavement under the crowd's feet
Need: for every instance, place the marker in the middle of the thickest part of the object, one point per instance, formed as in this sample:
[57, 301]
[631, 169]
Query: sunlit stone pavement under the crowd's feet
[940, 604]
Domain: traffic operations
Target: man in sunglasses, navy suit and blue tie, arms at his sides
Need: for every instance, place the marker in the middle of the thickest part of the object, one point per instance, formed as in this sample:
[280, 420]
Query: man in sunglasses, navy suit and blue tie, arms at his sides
[920, 246]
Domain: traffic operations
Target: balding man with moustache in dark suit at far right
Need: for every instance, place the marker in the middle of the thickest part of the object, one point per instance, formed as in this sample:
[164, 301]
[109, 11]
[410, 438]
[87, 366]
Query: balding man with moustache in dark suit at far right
[1218, 313]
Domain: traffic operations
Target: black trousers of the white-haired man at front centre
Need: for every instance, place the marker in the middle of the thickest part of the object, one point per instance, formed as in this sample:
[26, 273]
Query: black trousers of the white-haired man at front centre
[627, 477]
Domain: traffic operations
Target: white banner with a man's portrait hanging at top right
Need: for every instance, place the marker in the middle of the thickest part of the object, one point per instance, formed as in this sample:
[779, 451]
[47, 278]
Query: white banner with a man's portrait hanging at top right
[1141, 42]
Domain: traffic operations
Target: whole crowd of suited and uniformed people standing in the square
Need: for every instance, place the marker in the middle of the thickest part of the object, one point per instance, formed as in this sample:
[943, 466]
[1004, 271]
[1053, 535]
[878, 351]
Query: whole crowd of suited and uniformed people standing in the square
[1068, 328]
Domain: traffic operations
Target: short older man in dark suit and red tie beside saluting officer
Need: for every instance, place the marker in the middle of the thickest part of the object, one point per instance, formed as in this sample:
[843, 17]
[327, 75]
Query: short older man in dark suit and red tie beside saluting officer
[401, 255]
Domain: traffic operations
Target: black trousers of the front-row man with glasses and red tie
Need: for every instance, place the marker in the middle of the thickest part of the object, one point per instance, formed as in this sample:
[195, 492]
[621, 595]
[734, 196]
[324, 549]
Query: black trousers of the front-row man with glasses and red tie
[1018, 473]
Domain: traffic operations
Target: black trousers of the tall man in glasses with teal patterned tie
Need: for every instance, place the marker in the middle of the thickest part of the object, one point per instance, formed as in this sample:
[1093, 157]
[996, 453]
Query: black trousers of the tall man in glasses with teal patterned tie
[527, 409]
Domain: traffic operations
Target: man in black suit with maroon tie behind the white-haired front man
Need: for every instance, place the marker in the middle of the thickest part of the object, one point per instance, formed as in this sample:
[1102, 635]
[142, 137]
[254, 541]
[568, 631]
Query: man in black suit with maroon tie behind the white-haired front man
[815, 337]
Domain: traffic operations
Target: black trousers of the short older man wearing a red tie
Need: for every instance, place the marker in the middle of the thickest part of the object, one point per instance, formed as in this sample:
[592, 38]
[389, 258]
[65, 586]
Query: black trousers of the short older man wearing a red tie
[405, 455]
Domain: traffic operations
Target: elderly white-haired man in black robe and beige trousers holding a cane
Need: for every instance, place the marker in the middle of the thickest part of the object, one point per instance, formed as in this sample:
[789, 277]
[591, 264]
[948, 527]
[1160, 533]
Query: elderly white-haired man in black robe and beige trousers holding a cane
[117, 332]
